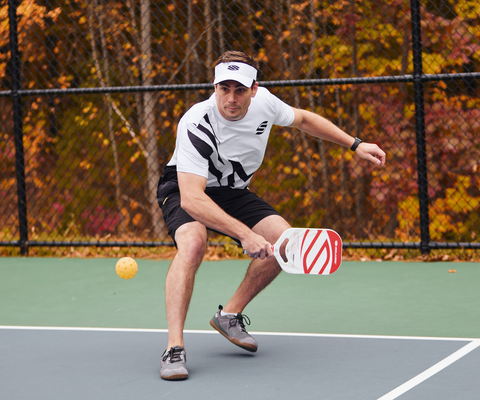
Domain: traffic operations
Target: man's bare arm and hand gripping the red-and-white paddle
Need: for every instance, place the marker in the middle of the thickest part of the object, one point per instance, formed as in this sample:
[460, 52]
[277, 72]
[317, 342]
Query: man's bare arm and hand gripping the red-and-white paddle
[204, 210]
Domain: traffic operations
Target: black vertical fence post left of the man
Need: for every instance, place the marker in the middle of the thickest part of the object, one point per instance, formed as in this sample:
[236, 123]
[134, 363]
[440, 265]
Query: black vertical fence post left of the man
[18, 126]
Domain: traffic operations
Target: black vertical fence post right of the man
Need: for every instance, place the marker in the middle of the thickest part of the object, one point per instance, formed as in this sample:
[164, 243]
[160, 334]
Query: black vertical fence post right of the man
[419, 88]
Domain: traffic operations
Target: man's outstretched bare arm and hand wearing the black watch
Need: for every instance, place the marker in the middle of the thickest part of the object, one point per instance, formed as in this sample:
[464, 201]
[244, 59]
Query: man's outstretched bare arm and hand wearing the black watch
[322, 128]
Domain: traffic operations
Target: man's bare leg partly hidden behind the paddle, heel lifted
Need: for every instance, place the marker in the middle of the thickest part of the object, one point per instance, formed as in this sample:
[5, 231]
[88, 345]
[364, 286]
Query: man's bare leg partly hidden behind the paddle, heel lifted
[260, 273]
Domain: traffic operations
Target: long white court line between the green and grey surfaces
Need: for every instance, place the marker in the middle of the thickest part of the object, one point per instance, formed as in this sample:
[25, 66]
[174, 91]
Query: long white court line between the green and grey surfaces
[324, 335]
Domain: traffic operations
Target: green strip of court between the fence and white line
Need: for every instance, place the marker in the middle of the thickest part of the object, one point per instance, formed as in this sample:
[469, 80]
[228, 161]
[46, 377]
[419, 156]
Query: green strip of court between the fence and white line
[366, 298]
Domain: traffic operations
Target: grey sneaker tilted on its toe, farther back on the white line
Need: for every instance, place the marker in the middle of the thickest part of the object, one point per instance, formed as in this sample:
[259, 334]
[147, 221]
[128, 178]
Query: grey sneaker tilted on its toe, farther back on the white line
[233, 328]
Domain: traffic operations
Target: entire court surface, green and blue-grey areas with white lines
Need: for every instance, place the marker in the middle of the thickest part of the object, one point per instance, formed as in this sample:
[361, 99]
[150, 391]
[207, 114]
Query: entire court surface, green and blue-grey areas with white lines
[72, 329]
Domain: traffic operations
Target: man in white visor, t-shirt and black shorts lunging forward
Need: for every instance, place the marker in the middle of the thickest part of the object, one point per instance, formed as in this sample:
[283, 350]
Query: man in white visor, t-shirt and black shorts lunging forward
[220, 144]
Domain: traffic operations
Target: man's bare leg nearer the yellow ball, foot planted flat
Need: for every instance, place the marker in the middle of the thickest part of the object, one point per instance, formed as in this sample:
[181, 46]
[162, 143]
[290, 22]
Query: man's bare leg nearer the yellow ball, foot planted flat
[191, 240]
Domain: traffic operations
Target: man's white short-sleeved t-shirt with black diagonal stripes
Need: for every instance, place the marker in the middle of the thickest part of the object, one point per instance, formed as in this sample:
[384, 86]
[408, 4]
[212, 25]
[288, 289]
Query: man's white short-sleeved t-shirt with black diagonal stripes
[227, 153]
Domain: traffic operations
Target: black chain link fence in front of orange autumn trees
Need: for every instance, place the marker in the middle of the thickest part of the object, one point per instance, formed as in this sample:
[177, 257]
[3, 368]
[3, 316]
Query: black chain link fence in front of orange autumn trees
[92, 92]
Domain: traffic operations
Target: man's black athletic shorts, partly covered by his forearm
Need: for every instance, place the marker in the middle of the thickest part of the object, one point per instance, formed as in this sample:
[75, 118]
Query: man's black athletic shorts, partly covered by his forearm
[241, 204]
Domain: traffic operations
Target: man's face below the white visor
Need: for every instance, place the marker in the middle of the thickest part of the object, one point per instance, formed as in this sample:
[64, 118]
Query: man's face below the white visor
[233, 99]
